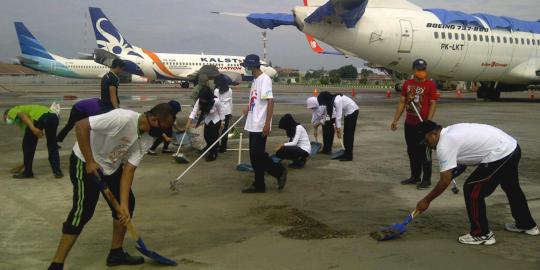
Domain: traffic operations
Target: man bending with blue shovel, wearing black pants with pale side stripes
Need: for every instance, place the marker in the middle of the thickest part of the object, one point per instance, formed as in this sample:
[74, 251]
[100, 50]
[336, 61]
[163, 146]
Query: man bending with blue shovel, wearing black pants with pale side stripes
[111, 145]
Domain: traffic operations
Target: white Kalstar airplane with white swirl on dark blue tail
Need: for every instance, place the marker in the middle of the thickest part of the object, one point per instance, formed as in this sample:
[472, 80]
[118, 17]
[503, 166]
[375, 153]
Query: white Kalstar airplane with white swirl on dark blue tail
[160, 66]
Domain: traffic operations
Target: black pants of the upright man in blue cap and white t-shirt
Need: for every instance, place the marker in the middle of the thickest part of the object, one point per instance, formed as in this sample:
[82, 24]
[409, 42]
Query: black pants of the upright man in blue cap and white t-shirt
[260, 161]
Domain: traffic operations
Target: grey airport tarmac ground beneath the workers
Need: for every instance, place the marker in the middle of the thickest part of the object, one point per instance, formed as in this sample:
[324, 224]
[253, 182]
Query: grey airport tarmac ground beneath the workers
[321, 220]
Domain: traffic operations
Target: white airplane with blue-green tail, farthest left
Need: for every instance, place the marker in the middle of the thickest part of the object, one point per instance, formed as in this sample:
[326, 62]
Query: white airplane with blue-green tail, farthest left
[35, 56]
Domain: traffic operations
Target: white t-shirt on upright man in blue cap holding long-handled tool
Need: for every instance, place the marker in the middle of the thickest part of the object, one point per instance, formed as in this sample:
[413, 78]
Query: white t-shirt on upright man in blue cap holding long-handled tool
[261, 92]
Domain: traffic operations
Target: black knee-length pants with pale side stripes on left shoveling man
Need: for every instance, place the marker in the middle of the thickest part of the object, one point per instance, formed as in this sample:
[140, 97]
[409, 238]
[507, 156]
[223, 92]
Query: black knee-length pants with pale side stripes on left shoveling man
[86, 195]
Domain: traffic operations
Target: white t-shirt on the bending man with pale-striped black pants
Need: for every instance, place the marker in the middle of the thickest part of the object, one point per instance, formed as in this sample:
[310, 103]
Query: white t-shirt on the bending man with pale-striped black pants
[114, 139]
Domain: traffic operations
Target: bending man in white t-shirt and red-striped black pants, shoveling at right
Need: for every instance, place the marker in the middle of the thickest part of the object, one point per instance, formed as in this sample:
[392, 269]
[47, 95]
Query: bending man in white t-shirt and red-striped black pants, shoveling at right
[496, 155]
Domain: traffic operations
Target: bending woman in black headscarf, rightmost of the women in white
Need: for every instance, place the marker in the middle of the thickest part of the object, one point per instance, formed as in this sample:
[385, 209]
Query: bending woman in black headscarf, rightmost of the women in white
[345, 108]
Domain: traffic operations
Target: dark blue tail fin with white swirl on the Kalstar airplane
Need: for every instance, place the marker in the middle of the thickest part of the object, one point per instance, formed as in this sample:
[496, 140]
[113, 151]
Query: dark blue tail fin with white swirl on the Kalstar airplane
[107, 36]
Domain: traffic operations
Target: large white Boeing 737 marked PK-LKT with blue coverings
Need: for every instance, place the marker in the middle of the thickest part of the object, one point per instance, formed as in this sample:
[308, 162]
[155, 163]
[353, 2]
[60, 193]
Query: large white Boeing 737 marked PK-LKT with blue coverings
[501, 51]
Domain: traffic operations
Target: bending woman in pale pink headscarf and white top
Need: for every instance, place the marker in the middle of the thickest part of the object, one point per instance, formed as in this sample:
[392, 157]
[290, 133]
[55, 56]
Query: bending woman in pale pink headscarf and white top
[320, 117]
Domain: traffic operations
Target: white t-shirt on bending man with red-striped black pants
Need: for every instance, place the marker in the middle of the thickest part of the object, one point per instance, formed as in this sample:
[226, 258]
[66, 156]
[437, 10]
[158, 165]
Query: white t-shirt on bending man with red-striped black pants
[472, 144]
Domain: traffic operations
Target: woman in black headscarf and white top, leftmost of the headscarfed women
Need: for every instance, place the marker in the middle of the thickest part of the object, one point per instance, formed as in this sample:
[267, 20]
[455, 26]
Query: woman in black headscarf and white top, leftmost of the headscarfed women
[210, 111]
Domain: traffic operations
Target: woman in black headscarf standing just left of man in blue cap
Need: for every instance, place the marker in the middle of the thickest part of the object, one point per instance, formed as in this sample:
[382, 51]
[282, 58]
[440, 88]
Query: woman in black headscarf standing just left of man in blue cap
[224, 94]
